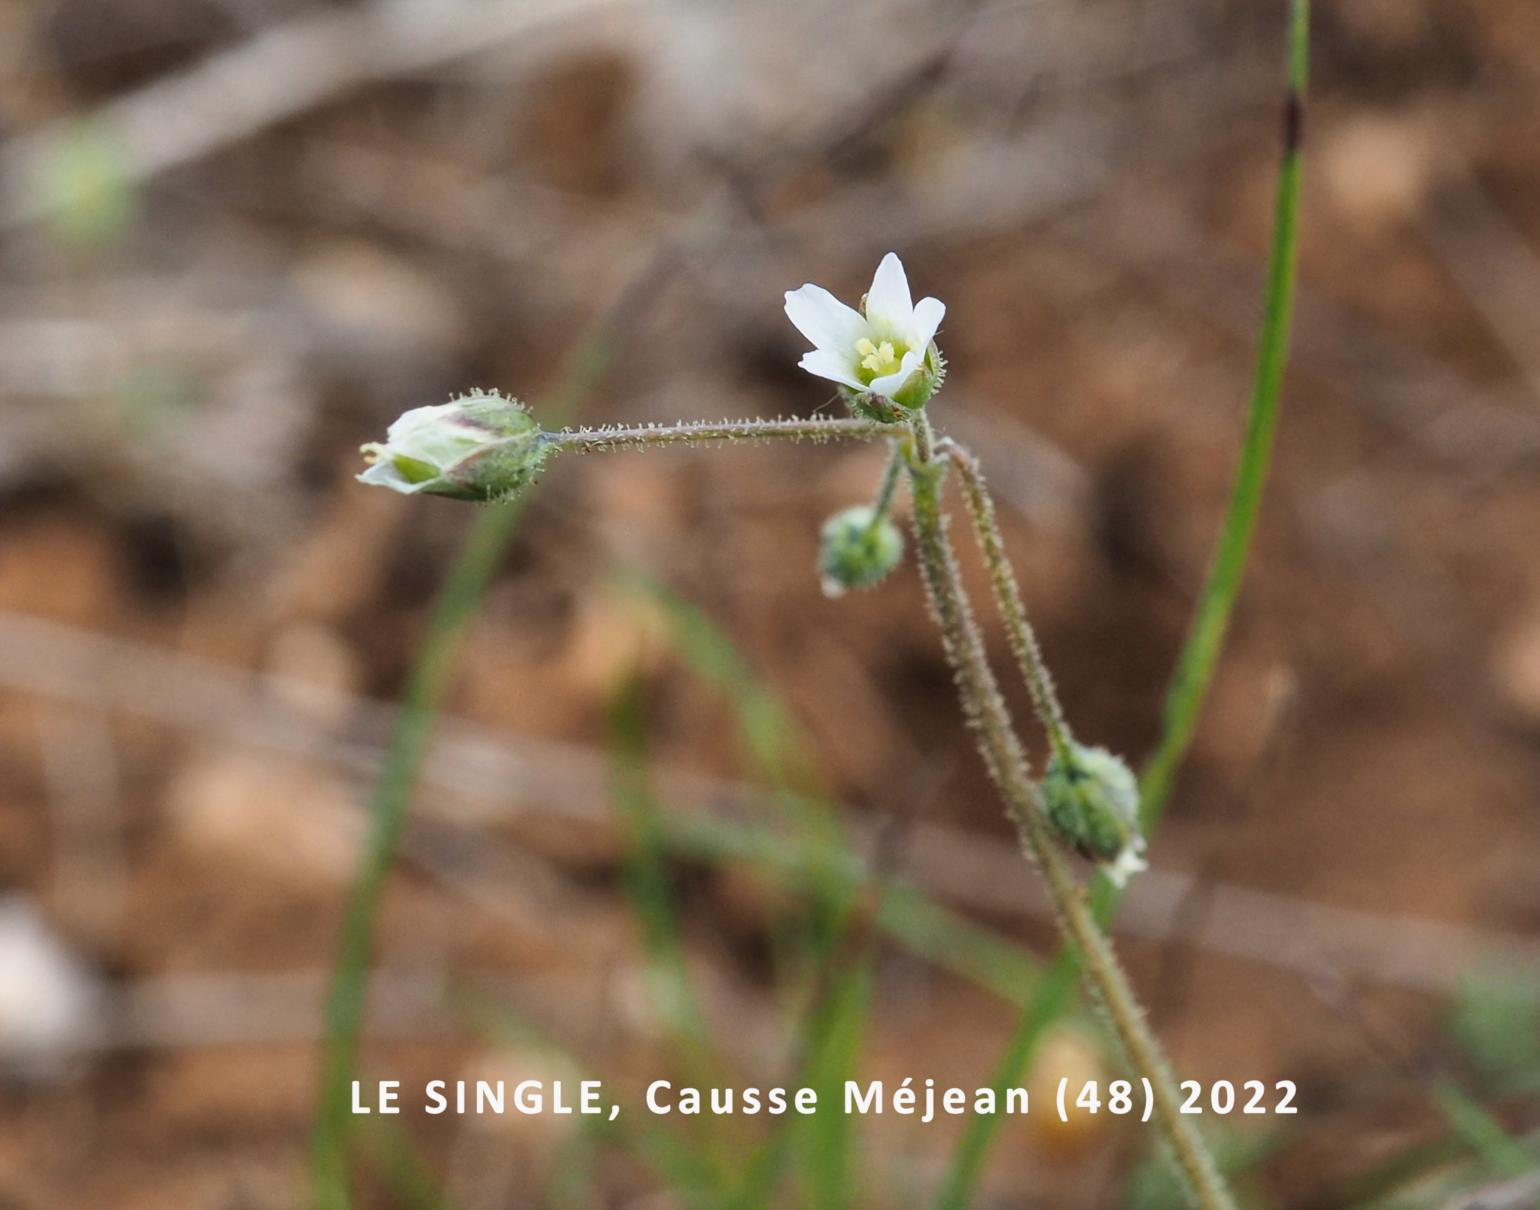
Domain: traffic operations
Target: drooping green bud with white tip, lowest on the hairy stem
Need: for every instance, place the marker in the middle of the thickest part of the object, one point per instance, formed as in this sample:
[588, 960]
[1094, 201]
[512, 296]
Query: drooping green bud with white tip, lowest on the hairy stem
[1093, 801]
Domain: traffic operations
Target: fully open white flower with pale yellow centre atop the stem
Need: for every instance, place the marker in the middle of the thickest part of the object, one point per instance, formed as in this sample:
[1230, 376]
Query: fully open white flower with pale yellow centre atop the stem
[885, 350]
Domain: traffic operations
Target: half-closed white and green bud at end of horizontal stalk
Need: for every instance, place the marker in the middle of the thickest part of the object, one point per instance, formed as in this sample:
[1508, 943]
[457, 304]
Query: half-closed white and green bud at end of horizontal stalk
[483, 447]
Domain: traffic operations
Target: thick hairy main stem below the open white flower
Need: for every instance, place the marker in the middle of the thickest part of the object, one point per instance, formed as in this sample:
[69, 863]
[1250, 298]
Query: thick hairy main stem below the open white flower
[1006, 763]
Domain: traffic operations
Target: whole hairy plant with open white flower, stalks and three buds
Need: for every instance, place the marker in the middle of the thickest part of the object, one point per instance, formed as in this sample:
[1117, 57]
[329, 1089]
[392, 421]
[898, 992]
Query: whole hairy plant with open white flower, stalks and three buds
[885, 358]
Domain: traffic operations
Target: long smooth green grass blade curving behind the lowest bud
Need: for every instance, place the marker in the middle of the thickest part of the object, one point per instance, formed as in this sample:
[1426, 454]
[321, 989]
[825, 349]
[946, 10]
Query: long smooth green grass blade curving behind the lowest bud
[1211, 620]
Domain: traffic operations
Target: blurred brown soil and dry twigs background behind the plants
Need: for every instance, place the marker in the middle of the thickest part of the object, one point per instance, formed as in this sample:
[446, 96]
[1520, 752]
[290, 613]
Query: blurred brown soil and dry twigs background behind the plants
[241, 236]
